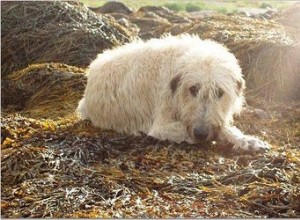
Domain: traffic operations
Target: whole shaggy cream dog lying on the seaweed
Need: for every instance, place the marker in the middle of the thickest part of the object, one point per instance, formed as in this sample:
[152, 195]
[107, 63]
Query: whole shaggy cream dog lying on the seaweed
[177, 88]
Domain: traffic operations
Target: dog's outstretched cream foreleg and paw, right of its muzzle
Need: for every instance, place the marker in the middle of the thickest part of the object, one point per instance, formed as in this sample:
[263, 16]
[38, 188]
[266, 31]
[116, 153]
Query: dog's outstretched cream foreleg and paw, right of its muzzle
[241, 141]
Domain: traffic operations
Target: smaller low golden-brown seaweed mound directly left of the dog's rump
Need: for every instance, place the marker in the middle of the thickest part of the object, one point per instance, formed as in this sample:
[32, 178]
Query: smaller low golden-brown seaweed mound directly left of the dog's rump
[50, 89]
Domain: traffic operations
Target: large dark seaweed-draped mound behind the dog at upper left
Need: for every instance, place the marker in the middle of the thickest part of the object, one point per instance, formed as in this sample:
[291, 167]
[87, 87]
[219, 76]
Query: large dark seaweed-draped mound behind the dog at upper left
[58, 31]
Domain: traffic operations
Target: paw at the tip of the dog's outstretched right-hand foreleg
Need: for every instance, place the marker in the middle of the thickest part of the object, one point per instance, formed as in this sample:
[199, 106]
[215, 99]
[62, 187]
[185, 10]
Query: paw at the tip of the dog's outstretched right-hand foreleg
[251, 144]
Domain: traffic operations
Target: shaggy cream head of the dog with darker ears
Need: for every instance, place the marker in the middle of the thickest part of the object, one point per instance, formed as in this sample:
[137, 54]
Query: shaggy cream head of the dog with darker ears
[206, 93]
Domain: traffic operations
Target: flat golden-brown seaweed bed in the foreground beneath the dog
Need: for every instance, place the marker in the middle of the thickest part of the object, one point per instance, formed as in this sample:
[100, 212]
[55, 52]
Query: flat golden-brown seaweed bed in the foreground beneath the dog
[64, 167]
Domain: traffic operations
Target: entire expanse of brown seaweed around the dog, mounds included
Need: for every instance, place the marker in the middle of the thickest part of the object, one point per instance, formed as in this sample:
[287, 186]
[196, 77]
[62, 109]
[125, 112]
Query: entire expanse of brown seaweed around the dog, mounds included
[55, 165]
